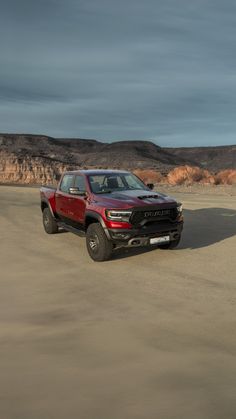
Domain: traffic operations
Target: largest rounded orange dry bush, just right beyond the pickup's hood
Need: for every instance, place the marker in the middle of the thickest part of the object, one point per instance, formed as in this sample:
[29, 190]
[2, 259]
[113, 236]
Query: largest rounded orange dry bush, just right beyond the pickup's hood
[189, 175]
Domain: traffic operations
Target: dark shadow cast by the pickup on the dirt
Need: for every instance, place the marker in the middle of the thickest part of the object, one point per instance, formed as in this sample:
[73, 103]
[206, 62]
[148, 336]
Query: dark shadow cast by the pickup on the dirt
[202, 227]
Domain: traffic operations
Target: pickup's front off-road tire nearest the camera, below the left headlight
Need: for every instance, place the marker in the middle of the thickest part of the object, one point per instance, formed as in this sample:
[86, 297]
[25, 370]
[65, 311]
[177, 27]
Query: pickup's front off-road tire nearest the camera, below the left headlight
[98, 245]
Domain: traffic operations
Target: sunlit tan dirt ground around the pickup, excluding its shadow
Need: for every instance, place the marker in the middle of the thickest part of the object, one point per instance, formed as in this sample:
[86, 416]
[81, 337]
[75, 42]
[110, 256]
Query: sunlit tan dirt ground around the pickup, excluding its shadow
[147, 335]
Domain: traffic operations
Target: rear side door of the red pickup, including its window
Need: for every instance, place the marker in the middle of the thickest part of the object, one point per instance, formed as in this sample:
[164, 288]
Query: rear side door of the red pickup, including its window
[63, 198]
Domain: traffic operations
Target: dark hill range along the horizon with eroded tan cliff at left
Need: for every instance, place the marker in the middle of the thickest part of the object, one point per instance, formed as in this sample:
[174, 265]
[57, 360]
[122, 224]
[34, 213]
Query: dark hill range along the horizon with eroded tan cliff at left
[37, 158]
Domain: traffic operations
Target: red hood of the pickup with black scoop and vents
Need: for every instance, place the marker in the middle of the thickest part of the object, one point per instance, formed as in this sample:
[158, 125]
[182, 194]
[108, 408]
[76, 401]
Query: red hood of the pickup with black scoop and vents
[132, 198]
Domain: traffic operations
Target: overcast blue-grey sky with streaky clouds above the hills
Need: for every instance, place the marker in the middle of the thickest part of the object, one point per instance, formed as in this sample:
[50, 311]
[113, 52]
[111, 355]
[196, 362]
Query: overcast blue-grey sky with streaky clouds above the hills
[163, 70]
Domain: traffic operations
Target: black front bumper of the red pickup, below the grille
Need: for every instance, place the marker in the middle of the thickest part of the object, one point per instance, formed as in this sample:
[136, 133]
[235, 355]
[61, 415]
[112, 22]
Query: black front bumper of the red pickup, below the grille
[141, 236]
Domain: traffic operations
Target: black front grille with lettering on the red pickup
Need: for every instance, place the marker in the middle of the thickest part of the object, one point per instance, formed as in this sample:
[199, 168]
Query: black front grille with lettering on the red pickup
[138, 217]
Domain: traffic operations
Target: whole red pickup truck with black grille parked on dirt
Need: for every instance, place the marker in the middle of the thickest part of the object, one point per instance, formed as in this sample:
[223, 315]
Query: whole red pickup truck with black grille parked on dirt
[113, 209]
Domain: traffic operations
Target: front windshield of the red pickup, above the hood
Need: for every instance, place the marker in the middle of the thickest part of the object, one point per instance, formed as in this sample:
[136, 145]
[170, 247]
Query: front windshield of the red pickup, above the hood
[107, 183]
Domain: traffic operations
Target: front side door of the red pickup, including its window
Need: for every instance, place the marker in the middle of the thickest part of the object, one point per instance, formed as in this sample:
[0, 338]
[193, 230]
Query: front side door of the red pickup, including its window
[78, 203]
